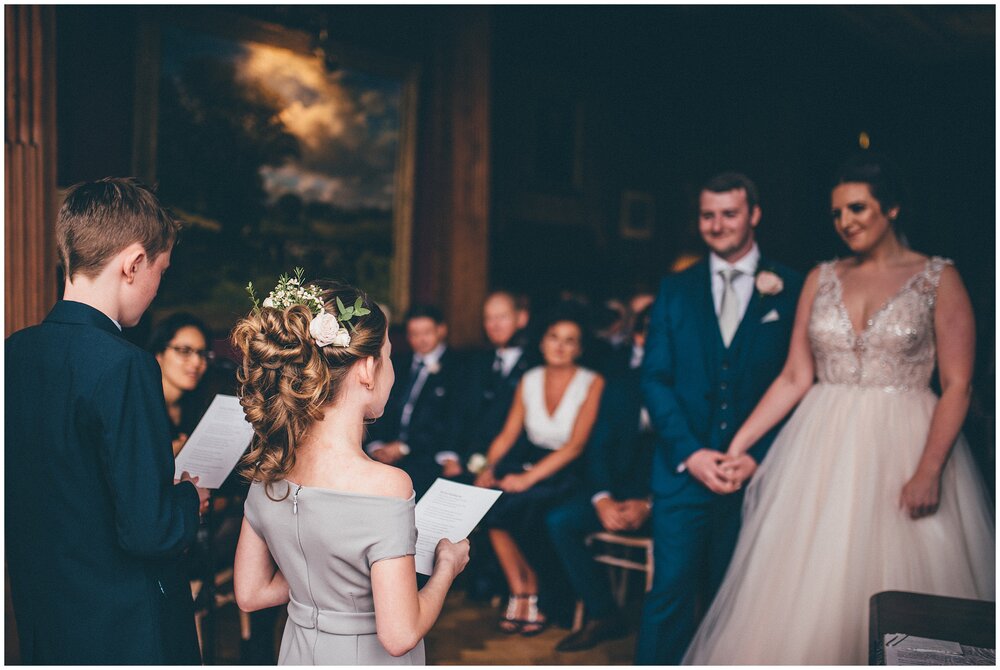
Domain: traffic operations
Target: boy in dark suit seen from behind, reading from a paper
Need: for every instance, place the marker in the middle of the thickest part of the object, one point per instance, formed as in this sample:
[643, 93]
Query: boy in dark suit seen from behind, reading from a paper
[95, 520]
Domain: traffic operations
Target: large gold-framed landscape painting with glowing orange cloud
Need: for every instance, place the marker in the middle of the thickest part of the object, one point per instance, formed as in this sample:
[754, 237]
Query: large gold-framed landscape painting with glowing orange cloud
[278, 150]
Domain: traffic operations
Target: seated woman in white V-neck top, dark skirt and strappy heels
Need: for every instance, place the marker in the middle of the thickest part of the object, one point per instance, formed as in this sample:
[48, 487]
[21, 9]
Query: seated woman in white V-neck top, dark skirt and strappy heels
[555, 406]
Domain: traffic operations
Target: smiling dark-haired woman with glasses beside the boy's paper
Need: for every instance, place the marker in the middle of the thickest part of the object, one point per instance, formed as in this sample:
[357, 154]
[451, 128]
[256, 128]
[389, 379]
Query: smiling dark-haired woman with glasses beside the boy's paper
[180, 344]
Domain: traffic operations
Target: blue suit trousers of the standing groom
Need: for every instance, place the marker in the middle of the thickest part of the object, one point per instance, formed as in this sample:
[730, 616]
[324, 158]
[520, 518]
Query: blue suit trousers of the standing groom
[692, 546]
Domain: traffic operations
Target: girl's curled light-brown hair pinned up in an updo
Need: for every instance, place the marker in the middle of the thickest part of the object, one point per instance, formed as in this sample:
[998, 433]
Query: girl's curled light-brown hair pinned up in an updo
[285, 379]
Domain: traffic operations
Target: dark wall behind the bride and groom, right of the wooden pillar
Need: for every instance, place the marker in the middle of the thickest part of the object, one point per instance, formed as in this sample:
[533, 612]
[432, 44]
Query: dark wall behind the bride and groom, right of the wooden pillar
[671, 95]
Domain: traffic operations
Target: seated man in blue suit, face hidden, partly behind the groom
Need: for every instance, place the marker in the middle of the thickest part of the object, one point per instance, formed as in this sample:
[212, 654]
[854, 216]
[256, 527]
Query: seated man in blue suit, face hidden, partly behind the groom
[614, 498]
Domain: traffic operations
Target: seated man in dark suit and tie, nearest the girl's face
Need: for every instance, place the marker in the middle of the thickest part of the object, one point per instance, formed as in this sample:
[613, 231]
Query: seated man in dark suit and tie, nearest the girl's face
[420, 426]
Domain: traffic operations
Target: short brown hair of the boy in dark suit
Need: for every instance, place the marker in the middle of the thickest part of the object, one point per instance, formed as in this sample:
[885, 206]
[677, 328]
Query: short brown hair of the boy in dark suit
[100, 218]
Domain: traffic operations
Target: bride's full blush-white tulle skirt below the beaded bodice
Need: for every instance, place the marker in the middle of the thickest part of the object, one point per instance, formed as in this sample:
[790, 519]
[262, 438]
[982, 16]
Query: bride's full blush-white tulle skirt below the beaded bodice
[823, 531]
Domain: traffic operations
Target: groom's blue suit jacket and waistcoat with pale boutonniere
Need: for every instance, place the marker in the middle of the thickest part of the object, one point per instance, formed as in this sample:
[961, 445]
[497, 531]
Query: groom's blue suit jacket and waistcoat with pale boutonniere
[697, 391]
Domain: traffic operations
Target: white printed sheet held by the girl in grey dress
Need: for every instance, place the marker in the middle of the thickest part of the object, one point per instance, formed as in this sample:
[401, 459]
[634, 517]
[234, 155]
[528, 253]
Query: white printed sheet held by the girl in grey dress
[450, 510]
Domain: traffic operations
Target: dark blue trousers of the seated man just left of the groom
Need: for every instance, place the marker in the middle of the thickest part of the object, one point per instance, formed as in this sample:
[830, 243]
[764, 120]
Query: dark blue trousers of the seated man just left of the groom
[568, 525]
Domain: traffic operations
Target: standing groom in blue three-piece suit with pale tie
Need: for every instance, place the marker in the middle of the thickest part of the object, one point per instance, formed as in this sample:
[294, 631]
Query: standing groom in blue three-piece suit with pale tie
[718, 337]
